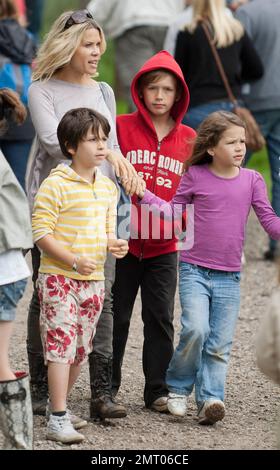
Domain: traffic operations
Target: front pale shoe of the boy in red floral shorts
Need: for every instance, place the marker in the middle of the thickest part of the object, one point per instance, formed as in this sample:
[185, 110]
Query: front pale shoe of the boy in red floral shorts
[60, 429]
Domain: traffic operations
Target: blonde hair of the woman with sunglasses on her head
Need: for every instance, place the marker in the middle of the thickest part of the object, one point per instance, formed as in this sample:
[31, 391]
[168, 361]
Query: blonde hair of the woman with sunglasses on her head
[61, 44]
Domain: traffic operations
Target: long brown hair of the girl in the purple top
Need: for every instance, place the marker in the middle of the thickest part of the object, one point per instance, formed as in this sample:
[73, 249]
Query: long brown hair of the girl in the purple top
[209, 134]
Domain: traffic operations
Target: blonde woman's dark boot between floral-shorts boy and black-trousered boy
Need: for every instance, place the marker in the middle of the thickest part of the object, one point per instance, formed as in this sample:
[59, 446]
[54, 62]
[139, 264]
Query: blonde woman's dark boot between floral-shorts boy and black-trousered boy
[102, 404]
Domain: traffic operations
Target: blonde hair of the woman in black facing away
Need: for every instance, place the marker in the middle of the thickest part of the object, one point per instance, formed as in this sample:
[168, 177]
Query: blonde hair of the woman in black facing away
[226, 28]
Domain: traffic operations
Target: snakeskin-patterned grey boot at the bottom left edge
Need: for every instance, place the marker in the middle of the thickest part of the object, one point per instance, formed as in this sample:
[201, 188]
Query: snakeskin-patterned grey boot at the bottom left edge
[16, 419]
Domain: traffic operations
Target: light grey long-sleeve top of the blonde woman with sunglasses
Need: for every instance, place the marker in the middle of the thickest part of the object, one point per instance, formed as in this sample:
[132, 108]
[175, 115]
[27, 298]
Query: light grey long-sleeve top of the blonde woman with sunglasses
[48, 102]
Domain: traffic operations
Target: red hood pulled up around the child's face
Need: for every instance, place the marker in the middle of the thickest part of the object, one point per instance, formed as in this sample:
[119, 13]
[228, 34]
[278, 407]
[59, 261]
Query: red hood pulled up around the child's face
[162, 60]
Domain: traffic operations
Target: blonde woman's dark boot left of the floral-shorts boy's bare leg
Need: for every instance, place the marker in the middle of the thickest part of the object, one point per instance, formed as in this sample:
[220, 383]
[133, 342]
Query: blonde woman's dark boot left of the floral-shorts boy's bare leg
[38, 383]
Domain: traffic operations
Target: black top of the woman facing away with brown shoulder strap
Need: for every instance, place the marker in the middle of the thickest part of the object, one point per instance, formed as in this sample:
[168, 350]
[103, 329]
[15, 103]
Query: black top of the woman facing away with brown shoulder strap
[193, 53]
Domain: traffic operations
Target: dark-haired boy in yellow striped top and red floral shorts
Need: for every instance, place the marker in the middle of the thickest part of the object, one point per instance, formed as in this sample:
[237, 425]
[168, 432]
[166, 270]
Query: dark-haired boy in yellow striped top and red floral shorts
[73, 224]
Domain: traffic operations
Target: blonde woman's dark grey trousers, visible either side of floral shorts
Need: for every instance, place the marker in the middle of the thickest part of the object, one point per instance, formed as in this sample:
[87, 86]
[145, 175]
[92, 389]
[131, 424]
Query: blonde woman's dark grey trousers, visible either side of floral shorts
[102, 342]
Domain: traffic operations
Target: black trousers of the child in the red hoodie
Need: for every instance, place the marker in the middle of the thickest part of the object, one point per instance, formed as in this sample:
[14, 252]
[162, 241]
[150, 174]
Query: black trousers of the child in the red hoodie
[157, 278]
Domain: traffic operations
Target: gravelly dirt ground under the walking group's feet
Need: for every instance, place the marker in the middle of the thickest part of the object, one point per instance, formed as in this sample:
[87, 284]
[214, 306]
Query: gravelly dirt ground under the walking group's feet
[251, 400]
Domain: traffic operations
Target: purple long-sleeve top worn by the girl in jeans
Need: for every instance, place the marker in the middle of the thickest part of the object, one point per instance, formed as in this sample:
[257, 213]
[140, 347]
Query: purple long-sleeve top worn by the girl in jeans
[221, 209]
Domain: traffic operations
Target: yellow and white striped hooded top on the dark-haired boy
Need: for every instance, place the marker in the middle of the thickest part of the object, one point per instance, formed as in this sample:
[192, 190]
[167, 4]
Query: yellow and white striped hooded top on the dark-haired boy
[79, 215]
